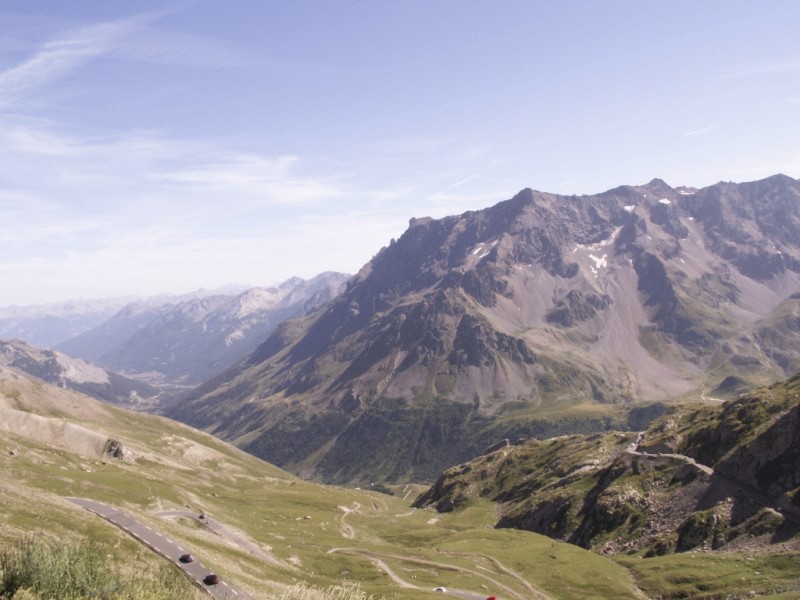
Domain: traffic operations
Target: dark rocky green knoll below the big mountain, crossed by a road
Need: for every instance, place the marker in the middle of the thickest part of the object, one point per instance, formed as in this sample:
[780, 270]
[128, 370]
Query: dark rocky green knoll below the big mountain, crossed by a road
[703, 476]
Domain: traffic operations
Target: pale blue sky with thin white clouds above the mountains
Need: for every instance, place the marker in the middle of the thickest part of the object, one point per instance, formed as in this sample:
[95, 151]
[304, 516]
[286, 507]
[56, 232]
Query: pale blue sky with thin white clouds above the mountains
[156, 147]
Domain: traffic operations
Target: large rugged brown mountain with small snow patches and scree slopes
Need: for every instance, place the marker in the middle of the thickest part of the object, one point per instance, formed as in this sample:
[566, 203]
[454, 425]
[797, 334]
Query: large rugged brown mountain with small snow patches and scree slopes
[541, 315]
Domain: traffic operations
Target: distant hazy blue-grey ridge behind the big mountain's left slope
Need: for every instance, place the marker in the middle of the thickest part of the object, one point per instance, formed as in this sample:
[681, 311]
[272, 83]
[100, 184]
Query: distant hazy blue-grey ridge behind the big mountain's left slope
[180, 344]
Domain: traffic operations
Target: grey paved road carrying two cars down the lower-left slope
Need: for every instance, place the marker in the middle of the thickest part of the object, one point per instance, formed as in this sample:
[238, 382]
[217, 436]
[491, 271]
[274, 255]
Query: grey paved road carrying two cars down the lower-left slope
[163, 545]
